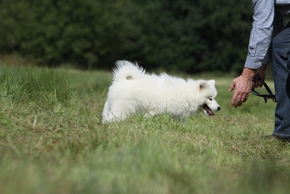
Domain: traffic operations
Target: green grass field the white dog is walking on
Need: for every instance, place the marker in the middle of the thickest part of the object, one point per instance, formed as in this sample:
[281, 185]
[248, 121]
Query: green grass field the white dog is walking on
[52, 141]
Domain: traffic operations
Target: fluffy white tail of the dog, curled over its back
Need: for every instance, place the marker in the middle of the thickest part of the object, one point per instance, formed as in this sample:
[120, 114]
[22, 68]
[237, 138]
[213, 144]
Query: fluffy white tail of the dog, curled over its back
[125, 70]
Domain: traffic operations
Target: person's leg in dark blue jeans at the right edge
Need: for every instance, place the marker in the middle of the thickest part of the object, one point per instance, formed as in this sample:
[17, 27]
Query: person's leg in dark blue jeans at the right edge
[281, 71]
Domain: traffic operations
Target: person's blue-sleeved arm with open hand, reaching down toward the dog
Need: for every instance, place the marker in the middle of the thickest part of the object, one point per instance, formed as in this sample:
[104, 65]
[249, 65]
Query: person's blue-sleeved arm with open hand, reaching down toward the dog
[259, 42]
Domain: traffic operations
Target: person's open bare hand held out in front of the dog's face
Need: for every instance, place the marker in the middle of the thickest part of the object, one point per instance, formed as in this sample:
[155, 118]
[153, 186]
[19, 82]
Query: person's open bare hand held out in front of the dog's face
[242, 85]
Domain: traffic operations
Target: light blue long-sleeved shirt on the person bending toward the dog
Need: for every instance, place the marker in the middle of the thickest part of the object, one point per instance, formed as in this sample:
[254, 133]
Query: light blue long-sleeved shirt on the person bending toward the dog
[267, 21]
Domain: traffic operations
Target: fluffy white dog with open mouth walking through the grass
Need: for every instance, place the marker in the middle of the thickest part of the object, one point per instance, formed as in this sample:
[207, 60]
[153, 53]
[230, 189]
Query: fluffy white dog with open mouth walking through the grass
[134, 91]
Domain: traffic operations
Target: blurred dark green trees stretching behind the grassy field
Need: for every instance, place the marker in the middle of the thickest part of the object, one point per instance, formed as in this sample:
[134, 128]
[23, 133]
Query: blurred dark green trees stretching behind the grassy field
[184, 35]
